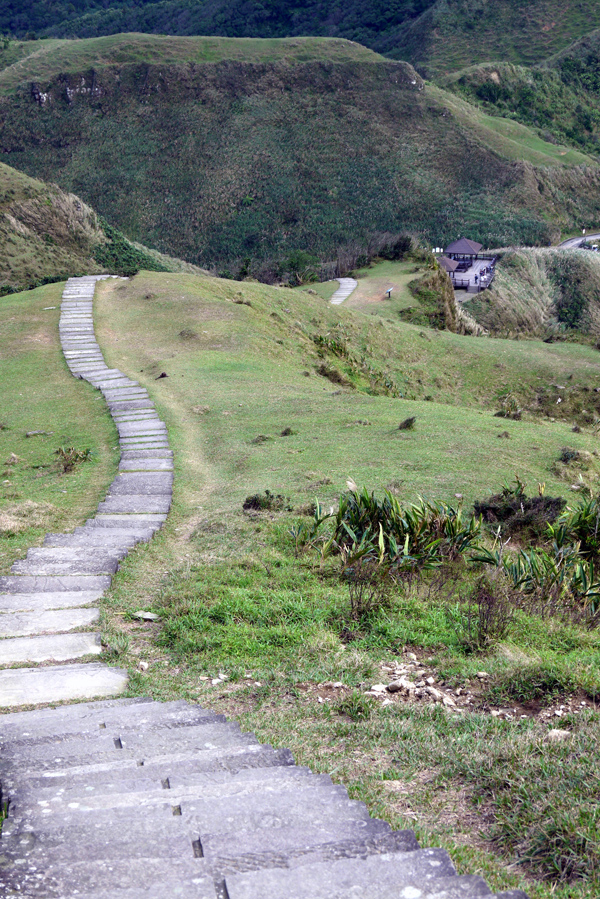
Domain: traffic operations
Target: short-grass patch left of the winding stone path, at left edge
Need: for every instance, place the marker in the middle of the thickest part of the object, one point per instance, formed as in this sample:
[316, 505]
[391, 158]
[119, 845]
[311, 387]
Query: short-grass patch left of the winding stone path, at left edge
[34, 496]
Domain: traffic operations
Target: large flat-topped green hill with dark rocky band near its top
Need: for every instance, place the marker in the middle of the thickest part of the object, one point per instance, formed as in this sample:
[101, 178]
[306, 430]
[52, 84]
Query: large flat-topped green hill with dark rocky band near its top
[302, 144]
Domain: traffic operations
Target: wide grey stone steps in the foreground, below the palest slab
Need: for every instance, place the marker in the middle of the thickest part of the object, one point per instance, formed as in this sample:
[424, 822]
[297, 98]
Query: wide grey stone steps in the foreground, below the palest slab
[127, 799]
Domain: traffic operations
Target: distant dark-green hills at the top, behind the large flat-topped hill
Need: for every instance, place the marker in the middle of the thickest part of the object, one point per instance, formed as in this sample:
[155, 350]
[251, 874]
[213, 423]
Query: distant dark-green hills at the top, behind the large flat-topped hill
[436, 35]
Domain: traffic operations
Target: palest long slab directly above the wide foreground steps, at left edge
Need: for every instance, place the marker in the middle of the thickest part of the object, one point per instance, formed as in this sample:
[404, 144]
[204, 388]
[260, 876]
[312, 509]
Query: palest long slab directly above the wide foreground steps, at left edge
[62, 683]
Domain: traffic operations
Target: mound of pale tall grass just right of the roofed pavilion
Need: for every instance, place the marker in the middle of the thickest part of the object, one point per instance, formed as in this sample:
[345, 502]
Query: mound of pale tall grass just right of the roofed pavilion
[543, 293]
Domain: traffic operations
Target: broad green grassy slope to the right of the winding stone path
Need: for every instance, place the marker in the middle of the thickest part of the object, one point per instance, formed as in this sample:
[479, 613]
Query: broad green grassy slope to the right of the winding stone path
[234, 598]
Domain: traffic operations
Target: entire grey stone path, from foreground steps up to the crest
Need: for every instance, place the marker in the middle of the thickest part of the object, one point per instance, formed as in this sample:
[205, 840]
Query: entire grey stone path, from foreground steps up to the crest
[134, 799]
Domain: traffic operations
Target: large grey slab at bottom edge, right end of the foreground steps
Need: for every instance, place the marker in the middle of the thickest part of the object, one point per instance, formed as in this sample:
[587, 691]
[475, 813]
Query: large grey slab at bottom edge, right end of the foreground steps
[424, 874]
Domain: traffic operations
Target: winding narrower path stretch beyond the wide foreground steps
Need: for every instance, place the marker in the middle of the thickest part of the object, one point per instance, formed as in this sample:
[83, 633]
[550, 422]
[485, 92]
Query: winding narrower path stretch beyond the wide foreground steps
[47, 599]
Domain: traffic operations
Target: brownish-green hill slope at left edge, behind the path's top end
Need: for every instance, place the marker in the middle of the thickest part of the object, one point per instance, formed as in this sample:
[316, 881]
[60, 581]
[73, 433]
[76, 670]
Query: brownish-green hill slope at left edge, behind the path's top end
[47, 235]
